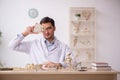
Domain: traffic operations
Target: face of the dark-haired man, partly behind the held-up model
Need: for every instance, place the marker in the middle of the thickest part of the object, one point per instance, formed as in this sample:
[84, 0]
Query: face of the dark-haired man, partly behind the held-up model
[48, 32]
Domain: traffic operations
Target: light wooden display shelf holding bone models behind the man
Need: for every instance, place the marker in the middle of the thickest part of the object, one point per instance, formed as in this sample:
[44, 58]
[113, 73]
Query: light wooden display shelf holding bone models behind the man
[82, 34]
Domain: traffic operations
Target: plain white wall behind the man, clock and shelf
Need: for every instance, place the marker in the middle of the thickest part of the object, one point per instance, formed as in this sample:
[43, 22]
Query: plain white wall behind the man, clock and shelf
[14, 18]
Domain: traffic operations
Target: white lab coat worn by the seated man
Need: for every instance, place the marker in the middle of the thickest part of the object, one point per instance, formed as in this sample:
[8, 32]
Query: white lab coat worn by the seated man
[38, 52]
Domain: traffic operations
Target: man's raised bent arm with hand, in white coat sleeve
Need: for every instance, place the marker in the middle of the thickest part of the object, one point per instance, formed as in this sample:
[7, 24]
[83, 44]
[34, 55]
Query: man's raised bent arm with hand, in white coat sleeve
[18, 44]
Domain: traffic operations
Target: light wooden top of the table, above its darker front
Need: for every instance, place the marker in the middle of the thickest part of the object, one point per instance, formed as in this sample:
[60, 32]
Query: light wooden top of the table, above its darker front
[91, 71]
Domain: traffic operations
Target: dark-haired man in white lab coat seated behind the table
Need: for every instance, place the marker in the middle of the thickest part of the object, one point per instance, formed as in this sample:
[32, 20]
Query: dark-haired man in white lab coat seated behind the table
[47, 50]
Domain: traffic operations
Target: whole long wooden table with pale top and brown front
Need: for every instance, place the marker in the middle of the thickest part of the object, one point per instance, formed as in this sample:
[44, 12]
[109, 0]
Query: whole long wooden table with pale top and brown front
[58, 75]
